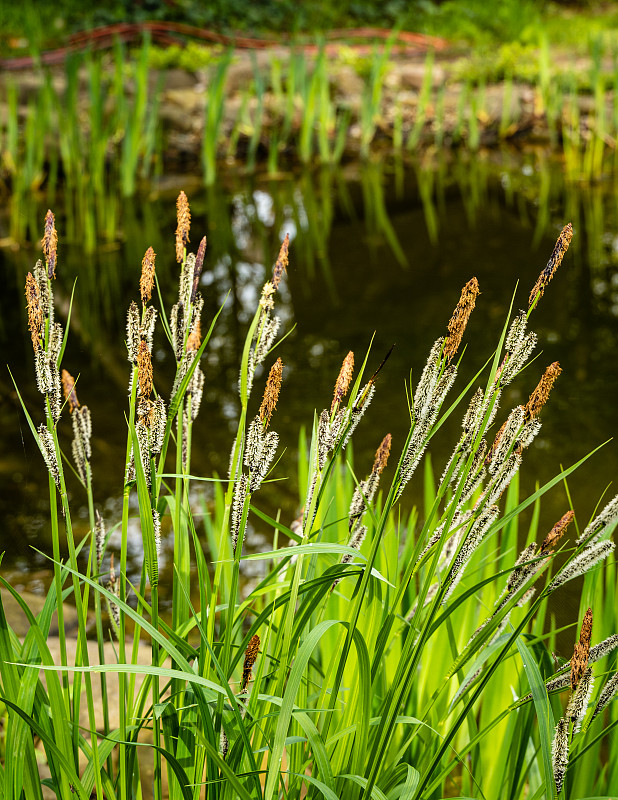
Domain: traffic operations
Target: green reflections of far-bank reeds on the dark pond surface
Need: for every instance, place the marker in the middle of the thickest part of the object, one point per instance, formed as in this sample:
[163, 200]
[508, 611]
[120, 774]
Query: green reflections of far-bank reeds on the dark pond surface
[100, 220]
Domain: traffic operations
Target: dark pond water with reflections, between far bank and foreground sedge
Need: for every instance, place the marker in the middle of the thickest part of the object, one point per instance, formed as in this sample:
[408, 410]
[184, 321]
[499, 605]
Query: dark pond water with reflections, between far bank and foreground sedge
[381, 251]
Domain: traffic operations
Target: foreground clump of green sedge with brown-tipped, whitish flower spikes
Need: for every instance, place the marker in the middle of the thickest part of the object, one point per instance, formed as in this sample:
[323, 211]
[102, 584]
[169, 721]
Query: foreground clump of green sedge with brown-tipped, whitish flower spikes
[383, 652]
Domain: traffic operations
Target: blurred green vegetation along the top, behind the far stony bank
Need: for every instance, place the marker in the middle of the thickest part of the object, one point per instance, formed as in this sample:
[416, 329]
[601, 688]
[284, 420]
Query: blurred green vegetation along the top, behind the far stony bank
[478, 22]
